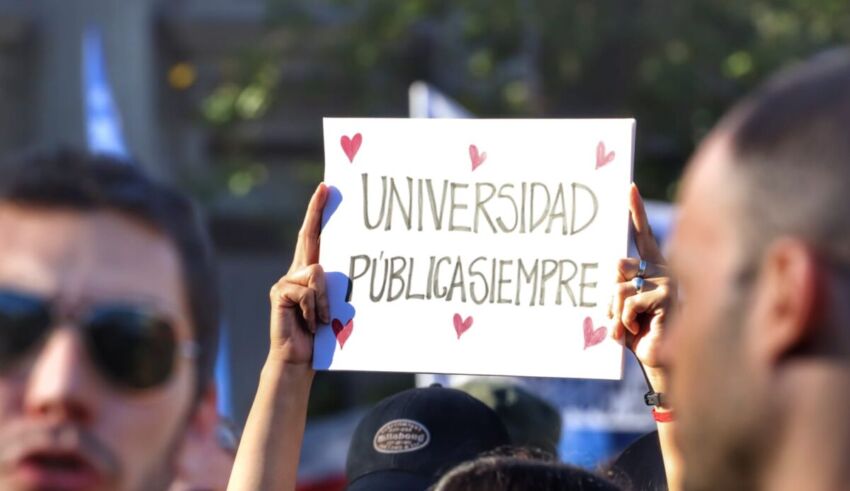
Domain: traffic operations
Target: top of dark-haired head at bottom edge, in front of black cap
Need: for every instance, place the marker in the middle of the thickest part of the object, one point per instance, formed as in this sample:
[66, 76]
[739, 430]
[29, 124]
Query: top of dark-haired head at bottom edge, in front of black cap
[517, 474]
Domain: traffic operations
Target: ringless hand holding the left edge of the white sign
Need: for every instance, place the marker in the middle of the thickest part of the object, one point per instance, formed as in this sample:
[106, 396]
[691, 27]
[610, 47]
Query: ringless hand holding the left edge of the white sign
[299, 299]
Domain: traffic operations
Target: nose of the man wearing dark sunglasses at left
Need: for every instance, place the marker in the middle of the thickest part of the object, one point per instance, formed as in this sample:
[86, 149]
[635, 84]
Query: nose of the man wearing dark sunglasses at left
[62, 383]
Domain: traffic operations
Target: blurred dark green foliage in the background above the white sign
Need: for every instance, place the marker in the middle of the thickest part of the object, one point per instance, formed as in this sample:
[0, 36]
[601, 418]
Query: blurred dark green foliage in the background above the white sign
[673, 65]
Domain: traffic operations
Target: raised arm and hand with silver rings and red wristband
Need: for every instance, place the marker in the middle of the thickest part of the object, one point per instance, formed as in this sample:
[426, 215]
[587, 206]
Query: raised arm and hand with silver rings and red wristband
[641, 317]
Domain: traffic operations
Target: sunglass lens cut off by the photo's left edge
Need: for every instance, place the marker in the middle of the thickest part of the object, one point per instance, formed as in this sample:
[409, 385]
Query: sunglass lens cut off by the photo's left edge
[23, 321]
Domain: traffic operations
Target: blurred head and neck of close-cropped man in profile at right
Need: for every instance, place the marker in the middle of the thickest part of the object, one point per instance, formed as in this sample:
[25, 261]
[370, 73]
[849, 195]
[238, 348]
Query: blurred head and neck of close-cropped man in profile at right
[760, 249]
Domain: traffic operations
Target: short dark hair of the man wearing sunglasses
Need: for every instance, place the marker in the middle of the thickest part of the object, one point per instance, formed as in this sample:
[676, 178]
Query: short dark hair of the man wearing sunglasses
[67, 179]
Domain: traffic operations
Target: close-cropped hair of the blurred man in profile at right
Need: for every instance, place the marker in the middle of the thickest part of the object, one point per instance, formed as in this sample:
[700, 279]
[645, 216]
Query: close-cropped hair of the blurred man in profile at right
[790, 141]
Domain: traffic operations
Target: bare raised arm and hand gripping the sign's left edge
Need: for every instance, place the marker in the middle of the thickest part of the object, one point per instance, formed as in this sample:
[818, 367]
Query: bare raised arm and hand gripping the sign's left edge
[268, 454]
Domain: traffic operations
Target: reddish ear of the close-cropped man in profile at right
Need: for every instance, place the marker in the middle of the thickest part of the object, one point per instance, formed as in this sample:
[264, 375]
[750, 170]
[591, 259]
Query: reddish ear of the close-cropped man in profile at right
[786, 300]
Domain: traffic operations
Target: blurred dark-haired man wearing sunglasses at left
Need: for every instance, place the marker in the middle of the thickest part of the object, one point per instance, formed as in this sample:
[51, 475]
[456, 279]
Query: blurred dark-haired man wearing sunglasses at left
[108, 324]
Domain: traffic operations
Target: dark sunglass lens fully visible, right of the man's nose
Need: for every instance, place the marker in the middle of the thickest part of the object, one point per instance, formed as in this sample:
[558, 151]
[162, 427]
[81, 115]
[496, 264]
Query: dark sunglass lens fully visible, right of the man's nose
[135, 349]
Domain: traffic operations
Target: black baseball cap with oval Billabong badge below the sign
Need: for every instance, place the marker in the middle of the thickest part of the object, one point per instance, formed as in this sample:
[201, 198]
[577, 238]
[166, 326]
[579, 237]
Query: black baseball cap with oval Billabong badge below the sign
[410, 439]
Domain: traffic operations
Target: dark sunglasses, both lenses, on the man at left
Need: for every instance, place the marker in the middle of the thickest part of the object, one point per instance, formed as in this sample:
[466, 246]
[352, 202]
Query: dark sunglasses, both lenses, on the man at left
[131, 346]
